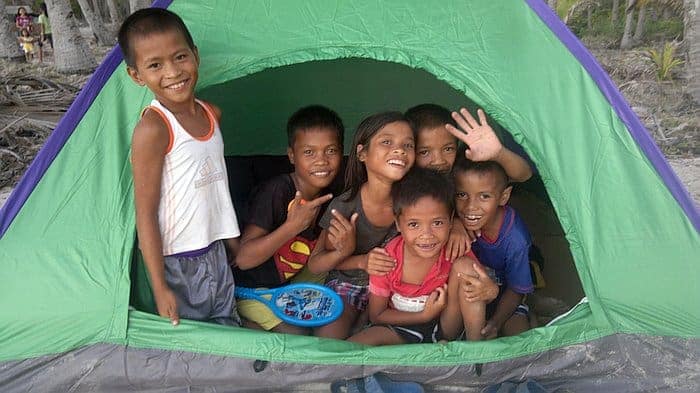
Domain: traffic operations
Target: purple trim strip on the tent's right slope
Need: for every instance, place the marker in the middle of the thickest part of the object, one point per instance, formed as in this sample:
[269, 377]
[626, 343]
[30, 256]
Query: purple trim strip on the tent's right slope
[617, 101]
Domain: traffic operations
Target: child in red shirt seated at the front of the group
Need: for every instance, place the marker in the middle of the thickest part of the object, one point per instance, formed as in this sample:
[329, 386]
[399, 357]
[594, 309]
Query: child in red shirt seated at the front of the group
[406, 304]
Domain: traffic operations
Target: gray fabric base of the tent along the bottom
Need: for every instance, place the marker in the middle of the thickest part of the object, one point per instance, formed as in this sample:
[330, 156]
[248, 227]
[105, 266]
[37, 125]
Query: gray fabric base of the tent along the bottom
[618, 363]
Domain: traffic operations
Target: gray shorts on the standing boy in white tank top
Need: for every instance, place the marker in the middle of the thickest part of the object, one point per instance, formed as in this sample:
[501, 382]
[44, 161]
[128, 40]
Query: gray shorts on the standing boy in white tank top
[203, 286]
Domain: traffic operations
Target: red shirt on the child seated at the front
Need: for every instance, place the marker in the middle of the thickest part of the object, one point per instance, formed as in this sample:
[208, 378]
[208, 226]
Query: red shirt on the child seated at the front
[387, 285]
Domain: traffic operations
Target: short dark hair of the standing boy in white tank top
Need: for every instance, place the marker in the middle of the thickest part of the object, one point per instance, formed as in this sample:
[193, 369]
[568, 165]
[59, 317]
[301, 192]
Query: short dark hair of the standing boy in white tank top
[148, 21]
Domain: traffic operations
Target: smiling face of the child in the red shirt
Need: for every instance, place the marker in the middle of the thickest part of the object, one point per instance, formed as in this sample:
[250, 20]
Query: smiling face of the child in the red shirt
[425, 227]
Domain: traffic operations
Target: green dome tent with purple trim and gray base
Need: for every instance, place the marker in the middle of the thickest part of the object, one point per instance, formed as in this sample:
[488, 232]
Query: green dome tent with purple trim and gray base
[67, 232]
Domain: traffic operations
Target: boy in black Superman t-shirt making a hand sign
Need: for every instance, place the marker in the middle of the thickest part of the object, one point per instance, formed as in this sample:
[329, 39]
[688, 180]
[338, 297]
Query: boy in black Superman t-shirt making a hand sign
[284, 212]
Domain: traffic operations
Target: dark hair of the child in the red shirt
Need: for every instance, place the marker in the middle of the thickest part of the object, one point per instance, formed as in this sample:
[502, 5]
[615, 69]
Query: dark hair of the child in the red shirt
[419, 183]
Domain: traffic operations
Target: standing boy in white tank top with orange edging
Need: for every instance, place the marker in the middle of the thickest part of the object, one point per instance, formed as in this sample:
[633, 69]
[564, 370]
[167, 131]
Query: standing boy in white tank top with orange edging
[184, 215]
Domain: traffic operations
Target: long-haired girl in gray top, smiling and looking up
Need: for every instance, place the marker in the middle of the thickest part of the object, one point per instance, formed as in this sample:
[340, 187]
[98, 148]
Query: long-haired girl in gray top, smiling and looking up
[359, 222]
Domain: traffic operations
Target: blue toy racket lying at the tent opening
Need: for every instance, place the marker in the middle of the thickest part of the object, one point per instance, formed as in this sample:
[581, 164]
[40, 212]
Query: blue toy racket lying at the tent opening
[303, 304]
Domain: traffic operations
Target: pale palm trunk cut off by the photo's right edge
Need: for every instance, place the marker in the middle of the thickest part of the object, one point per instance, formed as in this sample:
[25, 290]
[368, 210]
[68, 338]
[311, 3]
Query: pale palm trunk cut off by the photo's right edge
[691, 38]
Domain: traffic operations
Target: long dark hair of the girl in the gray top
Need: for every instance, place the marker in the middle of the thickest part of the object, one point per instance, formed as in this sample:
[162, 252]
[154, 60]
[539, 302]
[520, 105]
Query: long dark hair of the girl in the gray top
[355, 172]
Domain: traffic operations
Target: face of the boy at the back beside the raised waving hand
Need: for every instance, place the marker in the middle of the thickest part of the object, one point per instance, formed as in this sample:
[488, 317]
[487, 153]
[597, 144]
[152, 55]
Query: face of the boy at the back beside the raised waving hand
[436, 149]
